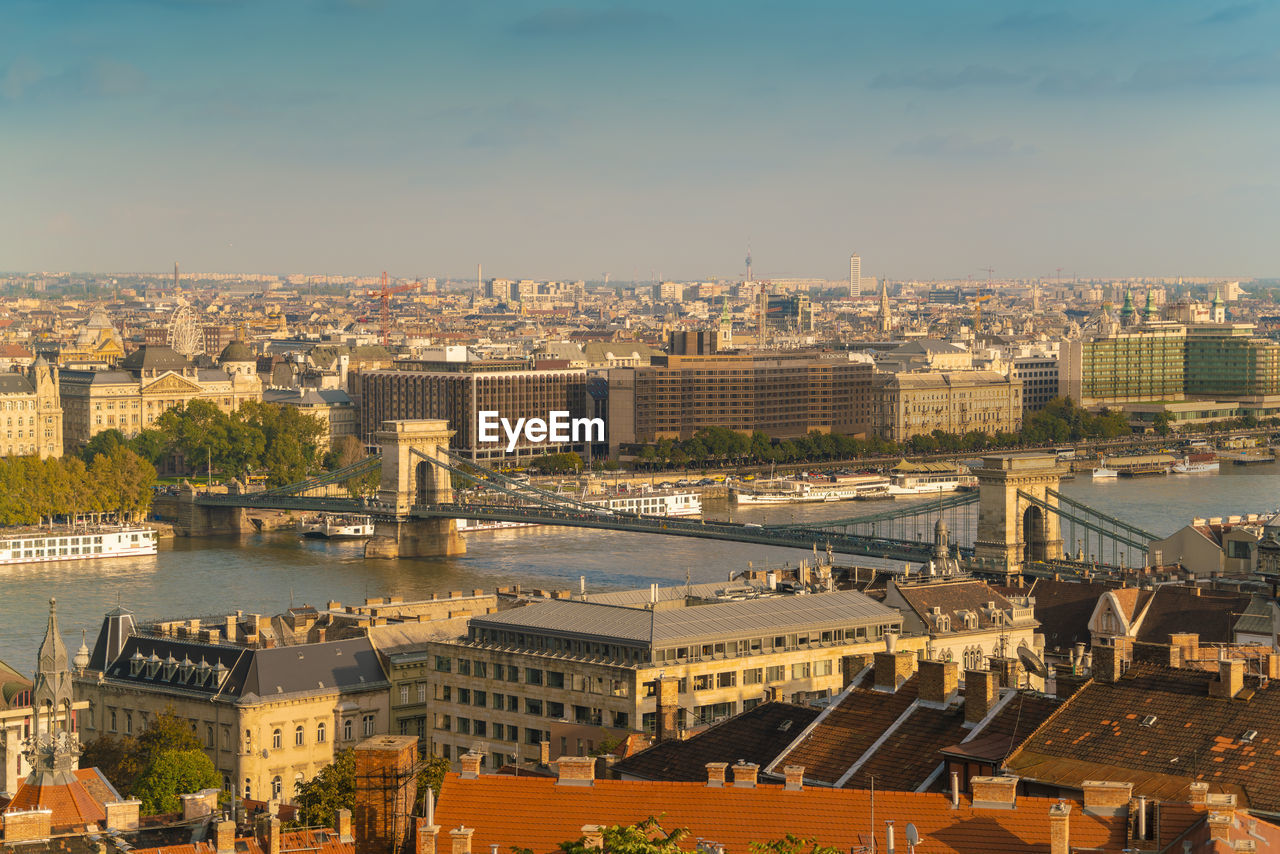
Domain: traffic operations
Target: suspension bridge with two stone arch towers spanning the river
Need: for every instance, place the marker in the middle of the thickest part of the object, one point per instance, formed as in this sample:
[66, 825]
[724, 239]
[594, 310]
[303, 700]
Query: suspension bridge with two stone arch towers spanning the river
[1017, 522]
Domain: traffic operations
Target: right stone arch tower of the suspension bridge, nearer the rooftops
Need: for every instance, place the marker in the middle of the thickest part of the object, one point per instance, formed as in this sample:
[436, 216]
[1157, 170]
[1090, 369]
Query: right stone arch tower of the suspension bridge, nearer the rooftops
[1012, 531]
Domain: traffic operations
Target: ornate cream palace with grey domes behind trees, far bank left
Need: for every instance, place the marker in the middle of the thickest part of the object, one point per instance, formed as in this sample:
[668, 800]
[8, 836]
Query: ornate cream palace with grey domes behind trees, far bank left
[145, 386]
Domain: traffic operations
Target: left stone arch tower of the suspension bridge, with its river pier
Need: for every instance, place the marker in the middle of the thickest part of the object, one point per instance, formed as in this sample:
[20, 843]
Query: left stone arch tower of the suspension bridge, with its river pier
[409, 481]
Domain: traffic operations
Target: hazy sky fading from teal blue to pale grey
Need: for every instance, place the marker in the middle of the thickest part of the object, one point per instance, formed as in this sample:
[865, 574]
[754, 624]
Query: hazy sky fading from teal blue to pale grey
[651, 138]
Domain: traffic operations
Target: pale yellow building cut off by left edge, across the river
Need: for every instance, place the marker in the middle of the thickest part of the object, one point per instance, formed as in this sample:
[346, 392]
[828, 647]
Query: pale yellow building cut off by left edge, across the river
[31, 413]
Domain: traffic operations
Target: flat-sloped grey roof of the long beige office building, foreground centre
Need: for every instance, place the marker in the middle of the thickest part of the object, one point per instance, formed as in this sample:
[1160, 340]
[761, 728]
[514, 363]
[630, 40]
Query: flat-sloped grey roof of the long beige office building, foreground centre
[720, 620]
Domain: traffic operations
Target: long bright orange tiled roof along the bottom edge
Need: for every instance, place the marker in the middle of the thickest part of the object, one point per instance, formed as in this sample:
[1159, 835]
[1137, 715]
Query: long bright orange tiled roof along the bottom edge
[541, 814]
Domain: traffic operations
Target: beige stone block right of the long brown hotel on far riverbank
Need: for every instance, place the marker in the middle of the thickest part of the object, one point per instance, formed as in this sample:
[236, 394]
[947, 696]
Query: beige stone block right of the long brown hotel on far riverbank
[921, 403]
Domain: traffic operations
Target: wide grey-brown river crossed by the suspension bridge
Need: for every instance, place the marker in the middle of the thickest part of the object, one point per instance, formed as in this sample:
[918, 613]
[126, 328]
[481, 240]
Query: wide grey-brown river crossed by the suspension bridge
[264, 573]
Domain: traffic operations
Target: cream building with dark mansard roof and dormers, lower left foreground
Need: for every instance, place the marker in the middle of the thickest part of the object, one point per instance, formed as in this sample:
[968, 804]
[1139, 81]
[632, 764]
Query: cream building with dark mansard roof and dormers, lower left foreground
[269, 707]
